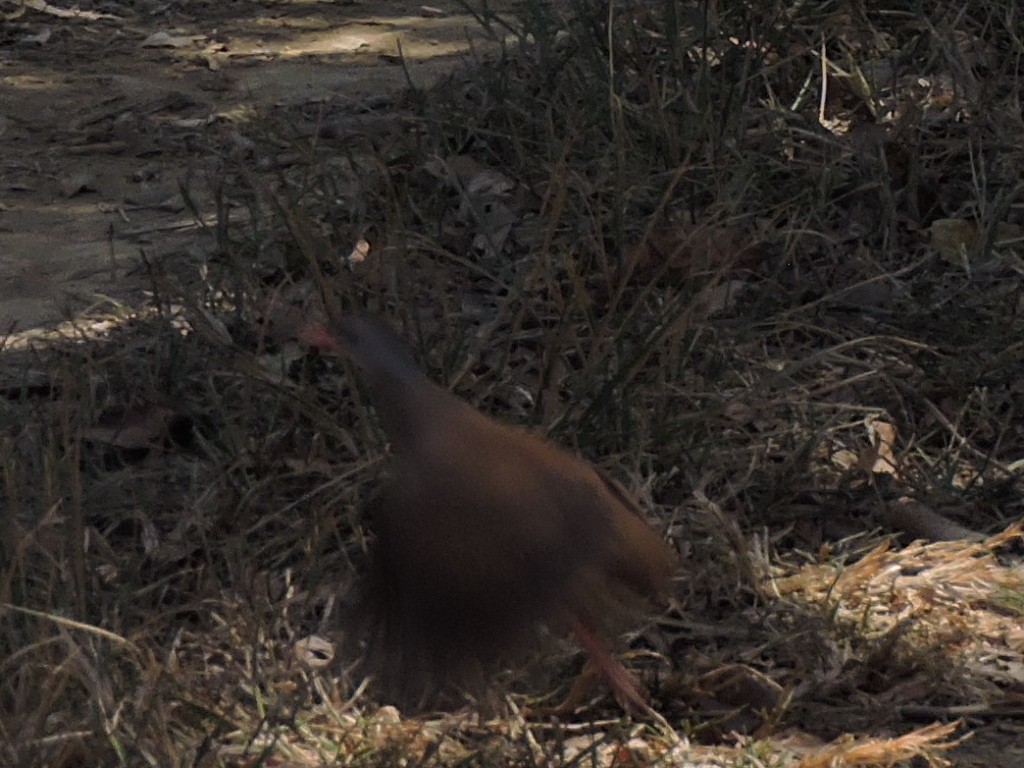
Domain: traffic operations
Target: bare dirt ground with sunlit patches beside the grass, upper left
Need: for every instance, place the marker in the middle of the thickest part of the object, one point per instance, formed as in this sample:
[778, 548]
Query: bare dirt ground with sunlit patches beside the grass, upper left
[100, 111]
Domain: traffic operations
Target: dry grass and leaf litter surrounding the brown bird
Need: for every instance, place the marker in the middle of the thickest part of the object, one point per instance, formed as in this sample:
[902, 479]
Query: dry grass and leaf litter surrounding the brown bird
[760, 261]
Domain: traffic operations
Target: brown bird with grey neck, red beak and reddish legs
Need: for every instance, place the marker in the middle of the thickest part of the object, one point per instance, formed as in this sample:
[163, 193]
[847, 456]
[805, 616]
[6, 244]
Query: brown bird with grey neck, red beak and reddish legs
[486, 532]
